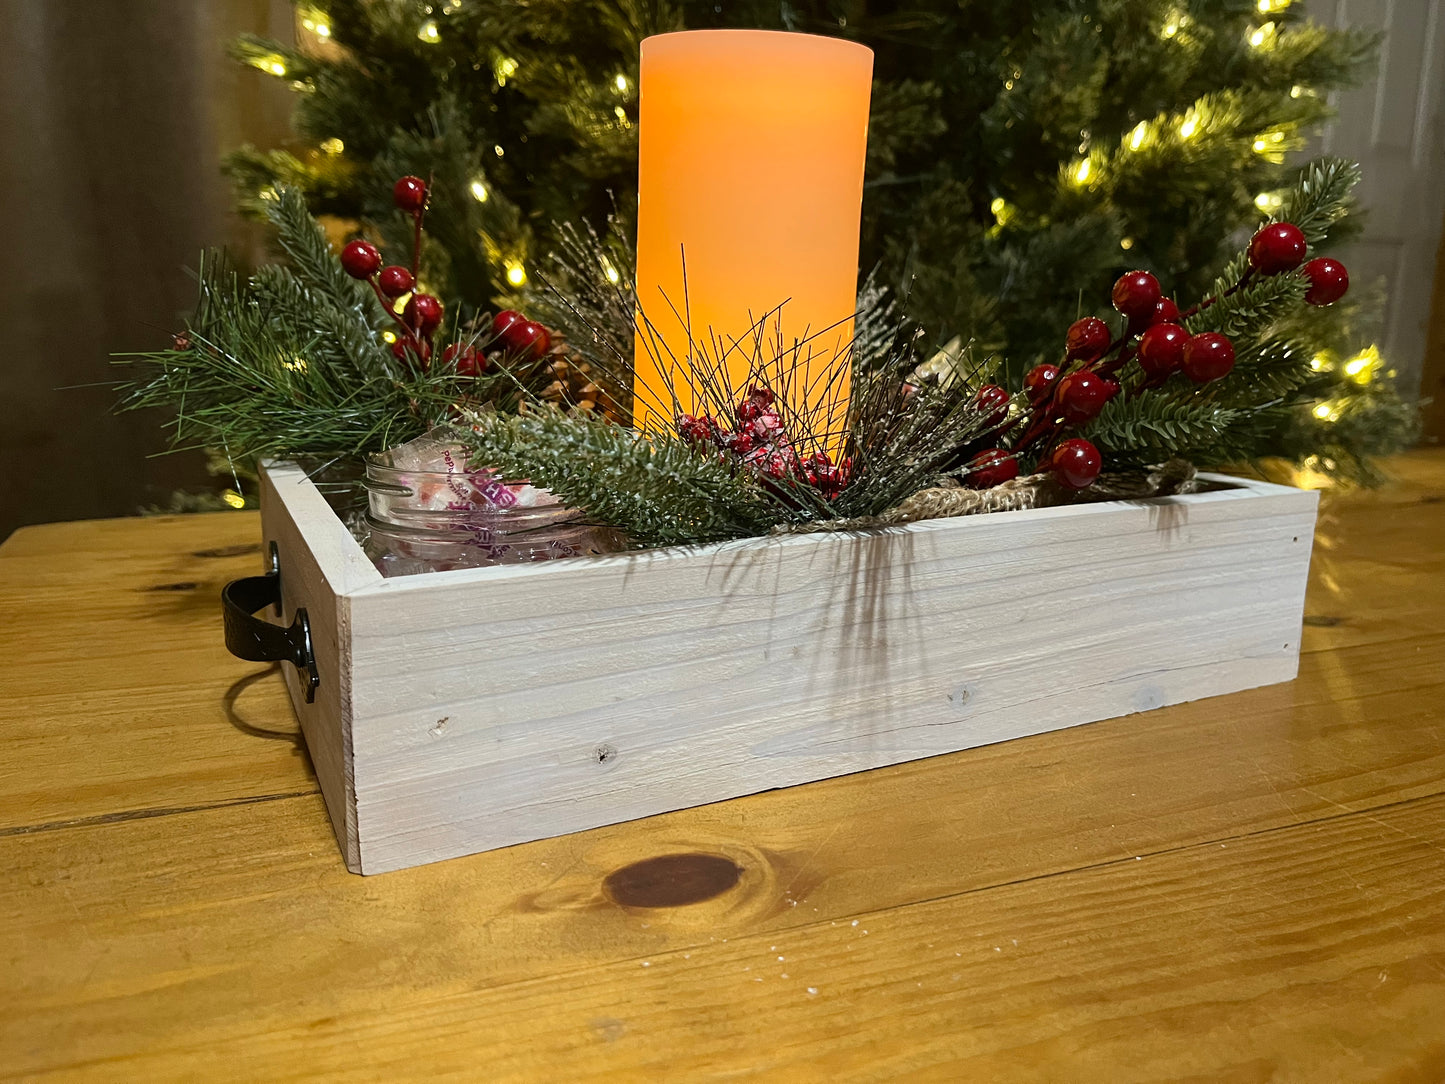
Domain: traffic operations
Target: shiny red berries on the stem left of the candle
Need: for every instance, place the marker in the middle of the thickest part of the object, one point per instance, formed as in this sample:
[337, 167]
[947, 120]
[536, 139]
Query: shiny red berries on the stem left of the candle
[423, 314]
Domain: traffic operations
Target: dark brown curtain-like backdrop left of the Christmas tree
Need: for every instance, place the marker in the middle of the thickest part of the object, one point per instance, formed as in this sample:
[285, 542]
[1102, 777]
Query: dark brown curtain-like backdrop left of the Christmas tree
[113, 118]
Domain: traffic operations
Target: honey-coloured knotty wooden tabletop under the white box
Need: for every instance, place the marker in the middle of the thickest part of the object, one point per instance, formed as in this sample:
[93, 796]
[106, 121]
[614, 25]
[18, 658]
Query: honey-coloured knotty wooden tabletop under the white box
[1246, 888]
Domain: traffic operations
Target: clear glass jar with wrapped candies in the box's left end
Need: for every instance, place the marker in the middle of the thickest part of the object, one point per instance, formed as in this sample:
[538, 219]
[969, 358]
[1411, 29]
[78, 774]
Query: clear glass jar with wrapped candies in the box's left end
[423, 521]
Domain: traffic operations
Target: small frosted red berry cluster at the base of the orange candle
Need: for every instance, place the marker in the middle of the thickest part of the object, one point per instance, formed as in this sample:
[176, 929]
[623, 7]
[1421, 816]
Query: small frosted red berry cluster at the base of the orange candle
[761, 443]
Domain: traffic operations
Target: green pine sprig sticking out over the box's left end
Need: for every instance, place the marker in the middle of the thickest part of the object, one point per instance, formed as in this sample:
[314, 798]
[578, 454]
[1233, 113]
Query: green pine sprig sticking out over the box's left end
[293, 364]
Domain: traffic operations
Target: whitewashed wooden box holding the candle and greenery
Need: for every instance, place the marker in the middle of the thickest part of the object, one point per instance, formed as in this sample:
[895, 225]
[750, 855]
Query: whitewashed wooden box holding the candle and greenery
[469, 710]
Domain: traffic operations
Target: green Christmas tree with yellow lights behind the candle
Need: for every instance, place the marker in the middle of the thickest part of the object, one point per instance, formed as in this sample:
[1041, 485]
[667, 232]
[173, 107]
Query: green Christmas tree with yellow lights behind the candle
[1021, 157]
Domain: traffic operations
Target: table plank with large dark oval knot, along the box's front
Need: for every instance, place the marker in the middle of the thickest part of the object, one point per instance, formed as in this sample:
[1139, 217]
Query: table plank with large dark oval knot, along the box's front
[154, 927]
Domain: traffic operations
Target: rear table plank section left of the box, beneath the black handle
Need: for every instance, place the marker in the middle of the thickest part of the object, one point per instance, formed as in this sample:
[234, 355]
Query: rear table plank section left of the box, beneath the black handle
[118, 693]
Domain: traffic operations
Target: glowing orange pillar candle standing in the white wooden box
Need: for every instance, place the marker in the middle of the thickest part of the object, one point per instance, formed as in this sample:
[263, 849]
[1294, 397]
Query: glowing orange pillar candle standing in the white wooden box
[751, 183]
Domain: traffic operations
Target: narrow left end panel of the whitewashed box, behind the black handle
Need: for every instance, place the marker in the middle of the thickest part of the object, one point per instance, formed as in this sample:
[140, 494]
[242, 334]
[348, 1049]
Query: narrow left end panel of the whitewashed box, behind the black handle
[293, 521]
